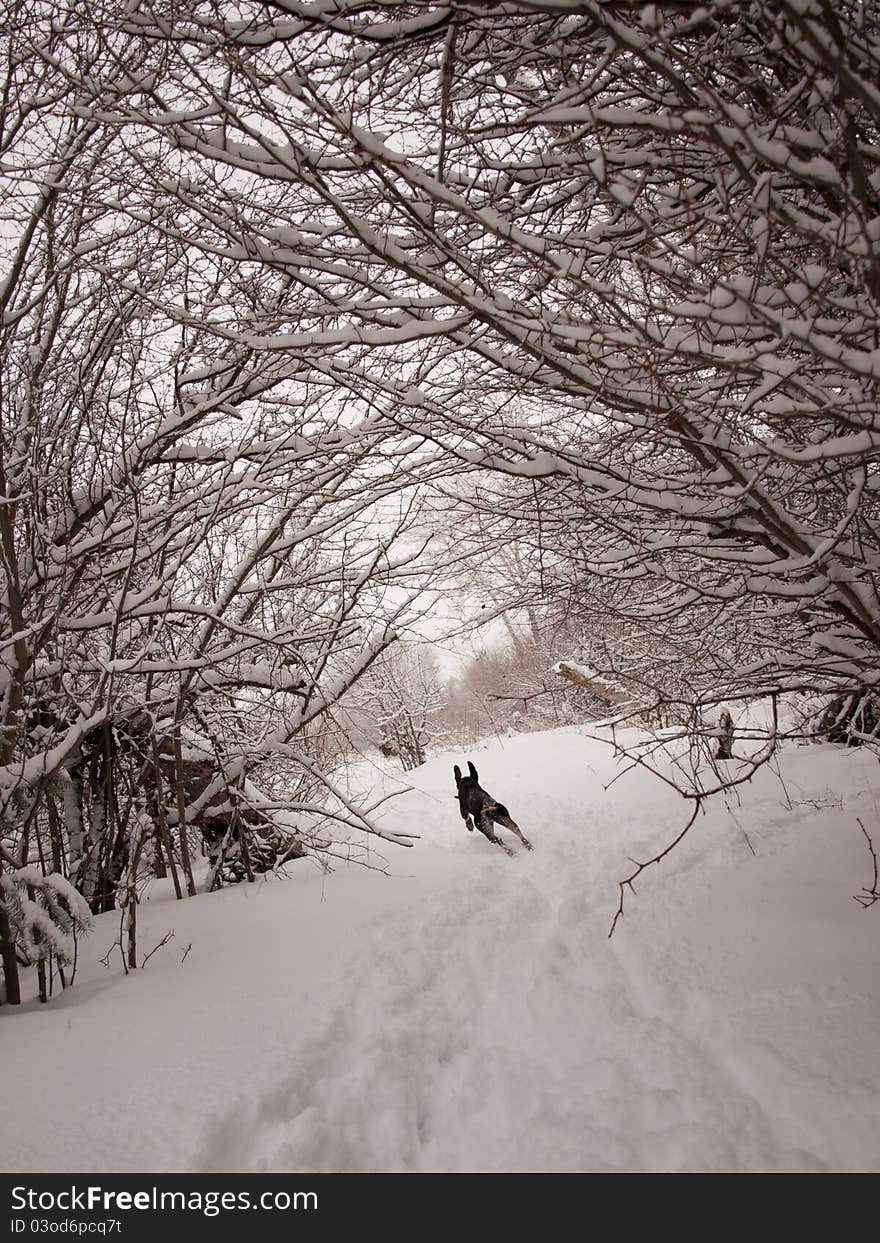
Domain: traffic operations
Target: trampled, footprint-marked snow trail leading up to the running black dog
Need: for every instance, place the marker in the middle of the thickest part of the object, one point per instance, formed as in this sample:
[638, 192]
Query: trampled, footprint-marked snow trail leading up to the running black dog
[494, 1027]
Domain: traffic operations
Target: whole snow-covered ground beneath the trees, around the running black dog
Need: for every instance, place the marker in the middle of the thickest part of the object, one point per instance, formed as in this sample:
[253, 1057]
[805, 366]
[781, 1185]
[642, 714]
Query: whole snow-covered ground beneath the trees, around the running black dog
[469, 1012]
